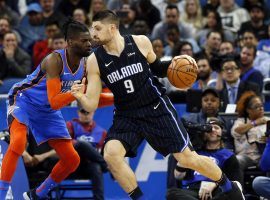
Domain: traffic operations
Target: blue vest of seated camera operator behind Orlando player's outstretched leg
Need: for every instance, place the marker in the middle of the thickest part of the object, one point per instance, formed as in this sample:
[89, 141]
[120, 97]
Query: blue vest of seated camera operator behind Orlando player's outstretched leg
[219, 157]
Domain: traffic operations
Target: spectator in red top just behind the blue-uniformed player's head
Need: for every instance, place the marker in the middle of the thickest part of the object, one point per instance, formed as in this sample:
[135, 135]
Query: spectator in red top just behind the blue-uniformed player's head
[44, 47]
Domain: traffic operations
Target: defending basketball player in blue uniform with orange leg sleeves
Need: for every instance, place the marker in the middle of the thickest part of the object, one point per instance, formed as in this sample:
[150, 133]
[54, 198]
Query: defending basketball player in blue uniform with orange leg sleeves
[35, 102]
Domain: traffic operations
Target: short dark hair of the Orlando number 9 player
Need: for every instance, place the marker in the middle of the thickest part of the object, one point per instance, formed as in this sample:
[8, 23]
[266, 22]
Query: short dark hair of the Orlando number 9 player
[107, 15]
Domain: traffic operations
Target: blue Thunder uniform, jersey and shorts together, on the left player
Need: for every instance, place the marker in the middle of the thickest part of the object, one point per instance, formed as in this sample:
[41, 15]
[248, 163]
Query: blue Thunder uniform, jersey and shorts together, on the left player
[29, 104]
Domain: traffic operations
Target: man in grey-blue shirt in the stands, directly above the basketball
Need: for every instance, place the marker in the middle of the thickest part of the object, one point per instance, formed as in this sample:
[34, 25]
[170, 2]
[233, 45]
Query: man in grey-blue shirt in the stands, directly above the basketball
[172, 17]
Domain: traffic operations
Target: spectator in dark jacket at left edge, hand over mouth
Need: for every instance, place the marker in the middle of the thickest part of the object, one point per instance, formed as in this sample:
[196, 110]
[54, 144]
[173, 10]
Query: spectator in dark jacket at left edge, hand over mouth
[15, 63]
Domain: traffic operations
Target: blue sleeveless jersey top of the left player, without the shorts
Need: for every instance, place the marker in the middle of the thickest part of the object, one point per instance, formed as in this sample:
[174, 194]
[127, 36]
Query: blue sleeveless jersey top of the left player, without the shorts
[34, 86]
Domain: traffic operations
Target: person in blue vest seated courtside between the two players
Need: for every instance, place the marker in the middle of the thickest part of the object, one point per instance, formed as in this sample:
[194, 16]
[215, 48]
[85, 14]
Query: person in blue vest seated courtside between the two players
[89, 139]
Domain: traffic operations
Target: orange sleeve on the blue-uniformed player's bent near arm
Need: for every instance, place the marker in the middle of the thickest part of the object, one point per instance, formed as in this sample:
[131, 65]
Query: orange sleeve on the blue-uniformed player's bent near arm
[57, 99]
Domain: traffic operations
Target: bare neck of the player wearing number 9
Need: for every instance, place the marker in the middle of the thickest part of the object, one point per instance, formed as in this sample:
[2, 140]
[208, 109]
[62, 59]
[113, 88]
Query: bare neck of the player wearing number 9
[115, 46]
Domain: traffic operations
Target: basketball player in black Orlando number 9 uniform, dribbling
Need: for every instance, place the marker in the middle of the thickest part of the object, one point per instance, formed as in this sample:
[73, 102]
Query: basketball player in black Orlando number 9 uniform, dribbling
[127, 64]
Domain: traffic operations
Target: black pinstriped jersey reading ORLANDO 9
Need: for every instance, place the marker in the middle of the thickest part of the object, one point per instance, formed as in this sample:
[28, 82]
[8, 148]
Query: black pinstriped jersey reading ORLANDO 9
[128, 77]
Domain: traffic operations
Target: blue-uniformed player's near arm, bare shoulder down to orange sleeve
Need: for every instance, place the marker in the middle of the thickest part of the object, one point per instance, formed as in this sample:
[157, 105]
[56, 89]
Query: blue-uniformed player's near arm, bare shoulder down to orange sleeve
[53, 65]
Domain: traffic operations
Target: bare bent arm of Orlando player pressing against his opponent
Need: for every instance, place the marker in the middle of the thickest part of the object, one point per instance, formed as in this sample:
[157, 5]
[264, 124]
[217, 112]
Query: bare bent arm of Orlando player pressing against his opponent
[90, 99]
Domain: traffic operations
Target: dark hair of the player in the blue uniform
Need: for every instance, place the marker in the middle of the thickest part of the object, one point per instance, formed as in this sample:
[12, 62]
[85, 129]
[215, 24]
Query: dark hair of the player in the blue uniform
[71, 28]
